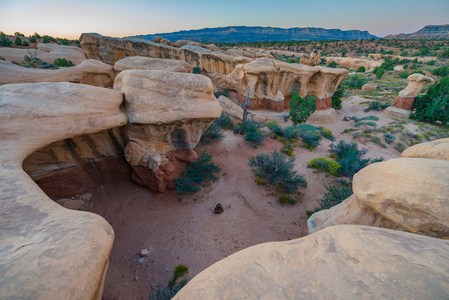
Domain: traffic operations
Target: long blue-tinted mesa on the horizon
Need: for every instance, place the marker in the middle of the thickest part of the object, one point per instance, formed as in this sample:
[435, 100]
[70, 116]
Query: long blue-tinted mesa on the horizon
[236, 34]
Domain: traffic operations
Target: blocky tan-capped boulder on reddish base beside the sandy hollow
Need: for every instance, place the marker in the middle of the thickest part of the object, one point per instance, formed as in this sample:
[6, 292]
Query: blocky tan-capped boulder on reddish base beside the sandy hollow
[170, 111]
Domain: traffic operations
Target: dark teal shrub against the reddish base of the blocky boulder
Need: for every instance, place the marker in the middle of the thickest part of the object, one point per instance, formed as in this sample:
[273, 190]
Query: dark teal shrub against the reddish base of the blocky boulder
[197, 174]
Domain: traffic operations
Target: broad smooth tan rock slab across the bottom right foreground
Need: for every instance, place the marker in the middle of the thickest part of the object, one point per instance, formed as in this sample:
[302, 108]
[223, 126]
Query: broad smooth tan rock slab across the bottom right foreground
[339, 262]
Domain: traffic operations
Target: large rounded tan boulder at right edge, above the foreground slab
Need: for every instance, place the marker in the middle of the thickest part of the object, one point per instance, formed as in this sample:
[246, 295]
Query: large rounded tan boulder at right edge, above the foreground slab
[411, 192]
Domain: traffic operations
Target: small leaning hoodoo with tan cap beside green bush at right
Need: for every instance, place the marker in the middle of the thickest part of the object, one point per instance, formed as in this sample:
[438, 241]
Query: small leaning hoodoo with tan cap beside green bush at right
[400, 109]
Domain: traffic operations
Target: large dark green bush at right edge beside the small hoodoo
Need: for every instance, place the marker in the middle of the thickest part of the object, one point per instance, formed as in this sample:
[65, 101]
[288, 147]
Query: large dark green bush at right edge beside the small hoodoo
[434, 105]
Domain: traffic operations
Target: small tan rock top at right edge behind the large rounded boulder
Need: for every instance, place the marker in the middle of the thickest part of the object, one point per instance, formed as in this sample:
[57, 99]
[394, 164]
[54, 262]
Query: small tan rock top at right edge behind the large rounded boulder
[438, 149]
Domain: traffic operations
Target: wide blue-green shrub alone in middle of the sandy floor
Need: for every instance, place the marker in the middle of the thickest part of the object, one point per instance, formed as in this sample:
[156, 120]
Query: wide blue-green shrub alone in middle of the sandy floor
[277, 170]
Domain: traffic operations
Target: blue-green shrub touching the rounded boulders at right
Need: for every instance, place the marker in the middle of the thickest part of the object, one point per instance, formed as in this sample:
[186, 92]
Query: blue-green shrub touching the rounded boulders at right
[350, 158]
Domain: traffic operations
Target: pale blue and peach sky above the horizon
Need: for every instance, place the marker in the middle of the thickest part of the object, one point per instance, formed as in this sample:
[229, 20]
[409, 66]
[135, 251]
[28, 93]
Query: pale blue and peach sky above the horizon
[120, 18]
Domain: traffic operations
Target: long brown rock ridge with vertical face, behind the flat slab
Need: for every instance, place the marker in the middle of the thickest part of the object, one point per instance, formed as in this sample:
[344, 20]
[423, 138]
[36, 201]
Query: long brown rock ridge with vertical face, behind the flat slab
[110, 50]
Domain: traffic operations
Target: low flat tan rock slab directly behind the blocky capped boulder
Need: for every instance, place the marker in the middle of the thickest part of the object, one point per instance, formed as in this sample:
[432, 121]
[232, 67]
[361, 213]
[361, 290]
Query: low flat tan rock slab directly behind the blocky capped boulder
[147, 63]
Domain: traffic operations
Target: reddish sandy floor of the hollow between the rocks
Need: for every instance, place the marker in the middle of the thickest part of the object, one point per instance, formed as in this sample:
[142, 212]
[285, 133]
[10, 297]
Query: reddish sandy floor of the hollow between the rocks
[186, 230]
